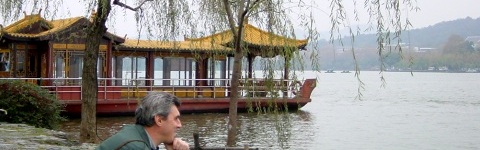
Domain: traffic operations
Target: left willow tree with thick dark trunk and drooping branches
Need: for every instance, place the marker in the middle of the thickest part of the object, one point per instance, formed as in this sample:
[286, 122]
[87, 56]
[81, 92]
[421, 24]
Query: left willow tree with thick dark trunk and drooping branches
[164, 14]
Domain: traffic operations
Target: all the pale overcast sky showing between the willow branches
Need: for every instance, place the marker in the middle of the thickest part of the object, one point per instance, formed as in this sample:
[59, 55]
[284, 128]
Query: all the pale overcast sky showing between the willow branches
[430, 13]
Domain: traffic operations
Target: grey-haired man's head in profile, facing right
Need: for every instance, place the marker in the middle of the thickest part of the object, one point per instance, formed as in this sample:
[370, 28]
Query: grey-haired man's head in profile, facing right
[158, 113]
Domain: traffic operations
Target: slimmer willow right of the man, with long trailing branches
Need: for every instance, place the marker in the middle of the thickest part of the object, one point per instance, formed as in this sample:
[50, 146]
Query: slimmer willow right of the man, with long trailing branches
[273, 15]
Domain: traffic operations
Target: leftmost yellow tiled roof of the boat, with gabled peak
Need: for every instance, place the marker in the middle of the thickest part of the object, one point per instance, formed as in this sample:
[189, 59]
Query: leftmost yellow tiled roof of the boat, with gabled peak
[56, 25]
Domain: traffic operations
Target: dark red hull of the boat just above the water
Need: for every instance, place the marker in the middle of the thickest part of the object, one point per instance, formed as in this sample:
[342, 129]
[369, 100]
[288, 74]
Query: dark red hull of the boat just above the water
[189, 105]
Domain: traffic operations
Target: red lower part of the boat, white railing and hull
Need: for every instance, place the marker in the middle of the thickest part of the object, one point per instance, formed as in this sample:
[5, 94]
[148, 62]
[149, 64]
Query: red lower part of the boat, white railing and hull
[122, 99]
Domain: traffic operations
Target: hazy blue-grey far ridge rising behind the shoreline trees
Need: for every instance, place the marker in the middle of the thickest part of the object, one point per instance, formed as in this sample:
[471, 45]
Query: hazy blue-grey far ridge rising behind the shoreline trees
[431, 36]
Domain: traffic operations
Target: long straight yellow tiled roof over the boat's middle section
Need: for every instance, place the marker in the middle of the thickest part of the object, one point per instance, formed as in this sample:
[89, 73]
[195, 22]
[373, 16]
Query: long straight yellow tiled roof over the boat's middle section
[172, 45]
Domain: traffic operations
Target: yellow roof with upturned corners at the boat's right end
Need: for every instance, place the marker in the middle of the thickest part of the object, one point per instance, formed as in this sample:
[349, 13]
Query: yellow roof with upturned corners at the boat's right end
[254, 36]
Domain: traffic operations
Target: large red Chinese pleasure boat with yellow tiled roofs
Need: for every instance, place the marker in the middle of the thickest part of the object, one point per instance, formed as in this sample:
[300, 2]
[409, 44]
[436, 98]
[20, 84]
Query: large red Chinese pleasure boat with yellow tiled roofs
[197, 70]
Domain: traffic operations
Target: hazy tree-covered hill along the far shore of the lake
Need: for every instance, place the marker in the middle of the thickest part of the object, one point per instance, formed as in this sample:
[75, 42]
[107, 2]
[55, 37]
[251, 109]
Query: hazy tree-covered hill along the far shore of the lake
[440, 47]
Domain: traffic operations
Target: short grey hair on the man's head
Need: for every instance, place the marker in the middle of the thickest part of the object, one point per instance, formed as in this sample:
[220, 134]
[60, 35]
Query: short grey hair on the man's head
[155, 103]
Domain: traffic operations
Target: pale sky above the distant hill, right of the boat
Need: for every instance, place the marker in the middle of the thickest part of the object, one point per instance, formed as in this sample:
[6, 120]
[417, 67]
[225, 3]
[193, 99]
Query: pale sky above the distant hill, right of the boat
[430, 12]
